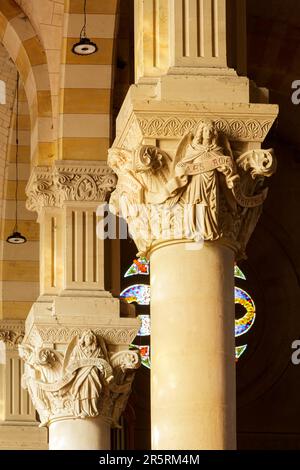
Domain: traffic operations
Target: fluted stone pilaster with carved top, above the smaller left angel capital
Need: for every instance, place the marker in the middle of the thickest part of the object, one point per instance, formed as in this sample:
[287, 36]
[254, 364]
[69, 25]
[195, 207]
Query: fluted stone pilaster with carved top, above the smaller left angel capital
[66, 198]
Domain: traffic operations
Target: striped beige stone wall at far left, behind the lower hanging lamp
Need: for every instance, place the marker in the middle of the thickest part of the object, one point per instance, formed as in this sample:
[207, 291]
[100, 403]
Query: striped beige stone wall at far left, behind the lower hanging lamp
[19, 268]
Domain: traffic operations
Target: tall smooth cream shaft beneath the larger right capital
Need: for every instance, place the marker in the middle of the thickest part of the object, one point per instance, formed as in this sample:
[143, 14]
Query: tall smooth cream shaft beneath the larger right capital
[192, 342]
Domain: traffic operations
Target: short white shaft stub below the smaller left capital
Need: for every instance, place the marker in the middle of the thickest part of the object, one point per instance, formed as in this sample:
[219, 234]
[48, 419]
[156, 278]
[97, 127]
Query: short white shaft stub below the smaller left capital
[79, 434]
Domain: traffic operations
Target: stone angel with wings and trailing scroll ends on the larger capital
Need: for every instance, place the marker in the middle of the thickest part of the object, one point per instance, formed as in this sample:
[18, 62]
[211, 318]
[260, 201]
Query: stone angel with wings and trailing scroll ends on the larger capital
[203, 171]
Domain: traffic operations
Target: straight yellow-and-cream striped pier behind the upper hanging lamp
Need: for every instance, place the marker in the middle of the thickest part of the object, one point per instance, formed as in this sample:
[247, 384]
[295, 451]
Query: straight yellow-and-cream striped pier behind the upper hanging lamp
[87, 82]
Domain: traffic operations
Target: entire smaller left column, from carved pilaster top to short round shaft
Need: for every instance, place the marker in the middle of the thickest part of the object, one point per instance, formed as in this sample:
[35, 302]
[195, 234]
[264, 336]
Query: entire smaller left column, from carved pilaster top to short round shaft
[78, 366]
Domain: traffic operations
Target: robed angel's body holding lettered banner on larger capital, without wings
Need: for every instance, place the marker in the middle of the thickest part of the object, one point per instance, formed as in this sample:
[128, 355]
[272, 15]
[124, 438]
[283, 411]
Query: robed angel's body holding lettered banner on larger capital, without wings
[201, 159]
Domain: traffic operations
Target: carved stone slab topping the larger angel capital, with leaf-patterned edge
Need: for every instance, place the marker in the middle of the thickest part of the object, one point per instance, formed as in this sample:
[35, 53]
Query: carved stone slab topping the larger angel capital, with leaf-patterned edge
[140, 120]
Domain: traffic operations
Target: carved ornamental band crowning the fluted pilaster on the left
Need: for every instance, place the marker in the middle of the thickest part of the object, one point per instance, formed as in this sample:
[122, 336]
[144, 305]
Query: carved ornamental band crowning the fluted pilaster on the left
[52, 186]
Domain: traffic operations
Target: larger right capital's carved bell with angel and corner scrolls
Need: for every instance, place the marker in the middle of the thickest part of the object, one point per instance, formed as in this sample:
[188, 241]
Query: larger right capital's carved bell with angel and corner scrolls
[207, 192]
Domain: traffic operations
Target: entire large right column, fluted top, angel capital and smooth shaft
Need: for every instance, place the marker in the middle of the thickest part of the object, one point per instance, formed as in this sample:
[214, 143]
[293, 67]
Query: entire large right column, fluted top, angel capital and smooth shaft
[191, 177]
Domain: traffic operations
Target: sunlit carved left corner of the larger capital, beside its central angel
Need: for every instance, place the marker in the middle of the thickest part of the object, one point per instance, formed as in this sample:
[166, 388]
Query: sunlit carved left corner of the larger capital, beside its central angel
[141, 175]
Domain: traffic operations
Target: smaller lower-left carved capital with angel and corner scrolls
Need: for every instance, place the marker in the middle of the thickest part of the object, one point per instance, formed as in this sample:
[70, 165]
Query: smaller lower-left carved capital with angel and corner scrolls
[86, 381]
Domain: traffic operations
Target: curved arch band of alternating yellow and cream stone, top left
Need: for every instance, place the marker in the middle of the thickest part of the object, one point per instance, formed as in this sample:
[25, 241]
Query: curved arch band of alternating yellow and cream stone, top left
[25, 49]
